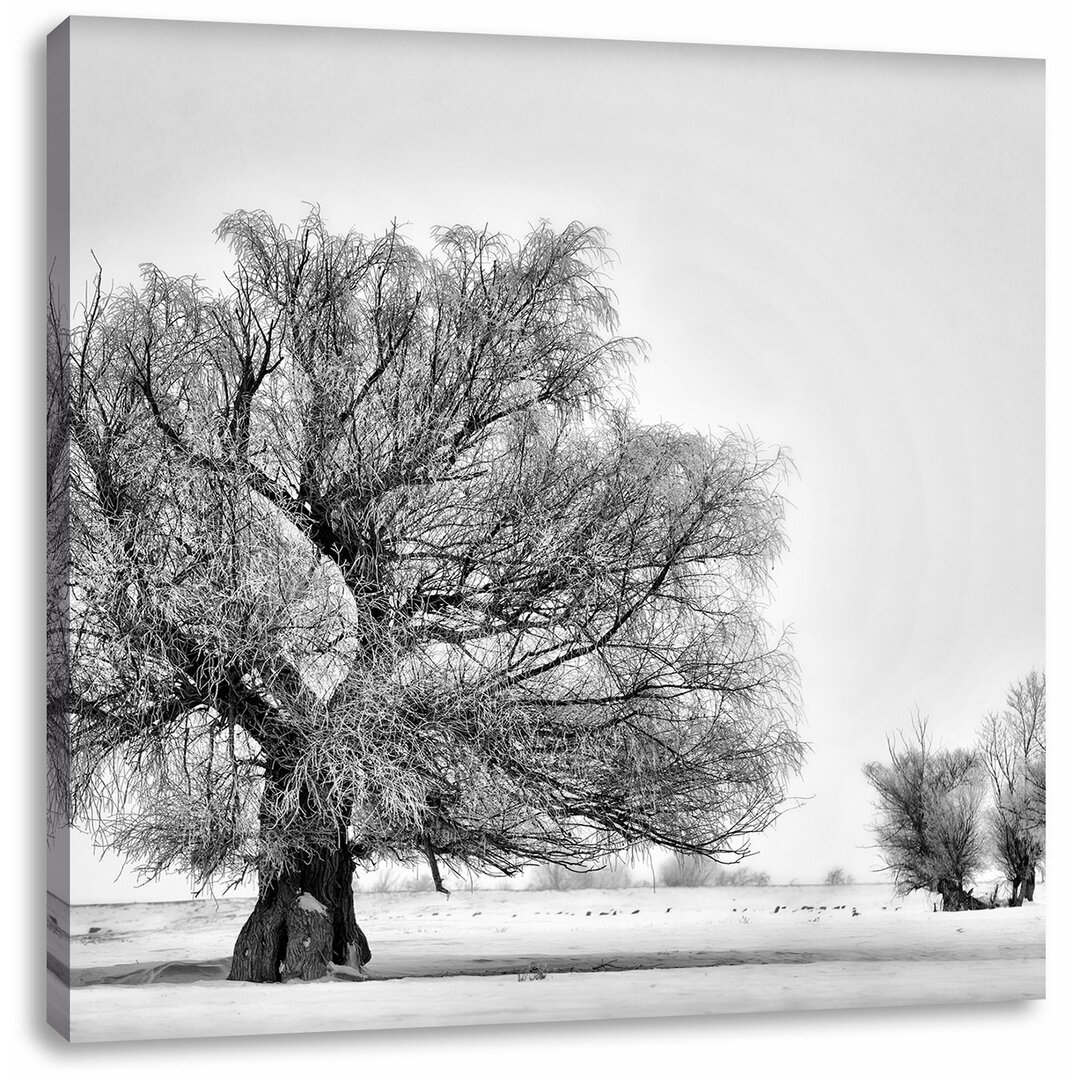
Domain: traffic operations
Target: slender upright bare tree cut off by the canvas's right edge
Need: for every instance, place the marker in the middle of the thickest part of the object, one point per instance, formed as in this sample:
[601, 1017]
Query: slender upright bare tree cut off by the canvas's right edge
[1014, 746]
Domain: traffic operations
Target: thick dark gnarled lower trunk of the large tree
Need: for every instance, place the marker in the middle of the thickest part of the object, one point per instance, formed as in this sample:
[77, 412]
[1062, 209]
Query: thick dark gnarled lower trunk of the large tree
[303, 922]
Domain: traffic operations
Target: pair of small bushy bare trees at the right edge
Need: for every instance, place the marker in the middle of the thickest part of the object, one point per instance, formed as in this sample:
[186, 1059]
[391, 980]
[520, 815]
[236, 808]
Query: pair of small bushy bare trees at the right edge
[946, 815]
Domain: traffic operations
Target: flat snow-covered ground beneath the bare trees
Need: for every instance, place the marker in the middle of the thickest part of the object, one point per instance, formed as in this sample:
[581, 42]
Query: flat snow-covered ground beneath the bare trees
[145, 971]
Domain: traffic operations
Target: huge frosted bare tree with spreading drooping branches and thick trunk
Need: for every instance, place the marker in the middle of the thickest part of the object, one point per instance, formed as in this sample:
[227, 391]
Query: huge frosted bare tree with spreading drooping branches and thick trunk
[371, 560]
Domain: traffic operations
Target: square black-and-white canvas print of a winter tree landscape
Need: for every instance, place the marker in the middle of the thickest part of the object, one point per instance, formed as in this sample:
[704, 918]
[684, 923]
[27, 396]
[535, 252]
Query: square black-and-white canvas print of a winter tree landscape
[539, 530]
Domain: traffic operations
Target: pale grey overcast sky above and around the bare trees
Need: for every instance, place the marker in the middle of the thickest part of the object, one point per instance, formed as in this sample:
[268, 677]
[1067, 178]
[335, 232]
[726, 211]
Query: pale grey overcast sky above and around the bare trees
[841, 253]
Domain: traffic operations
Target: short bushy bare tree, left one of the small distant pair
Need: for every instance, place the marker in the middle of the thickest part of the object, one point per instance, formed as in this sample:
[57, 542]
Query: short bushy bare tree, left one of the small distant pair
[929, 806]
